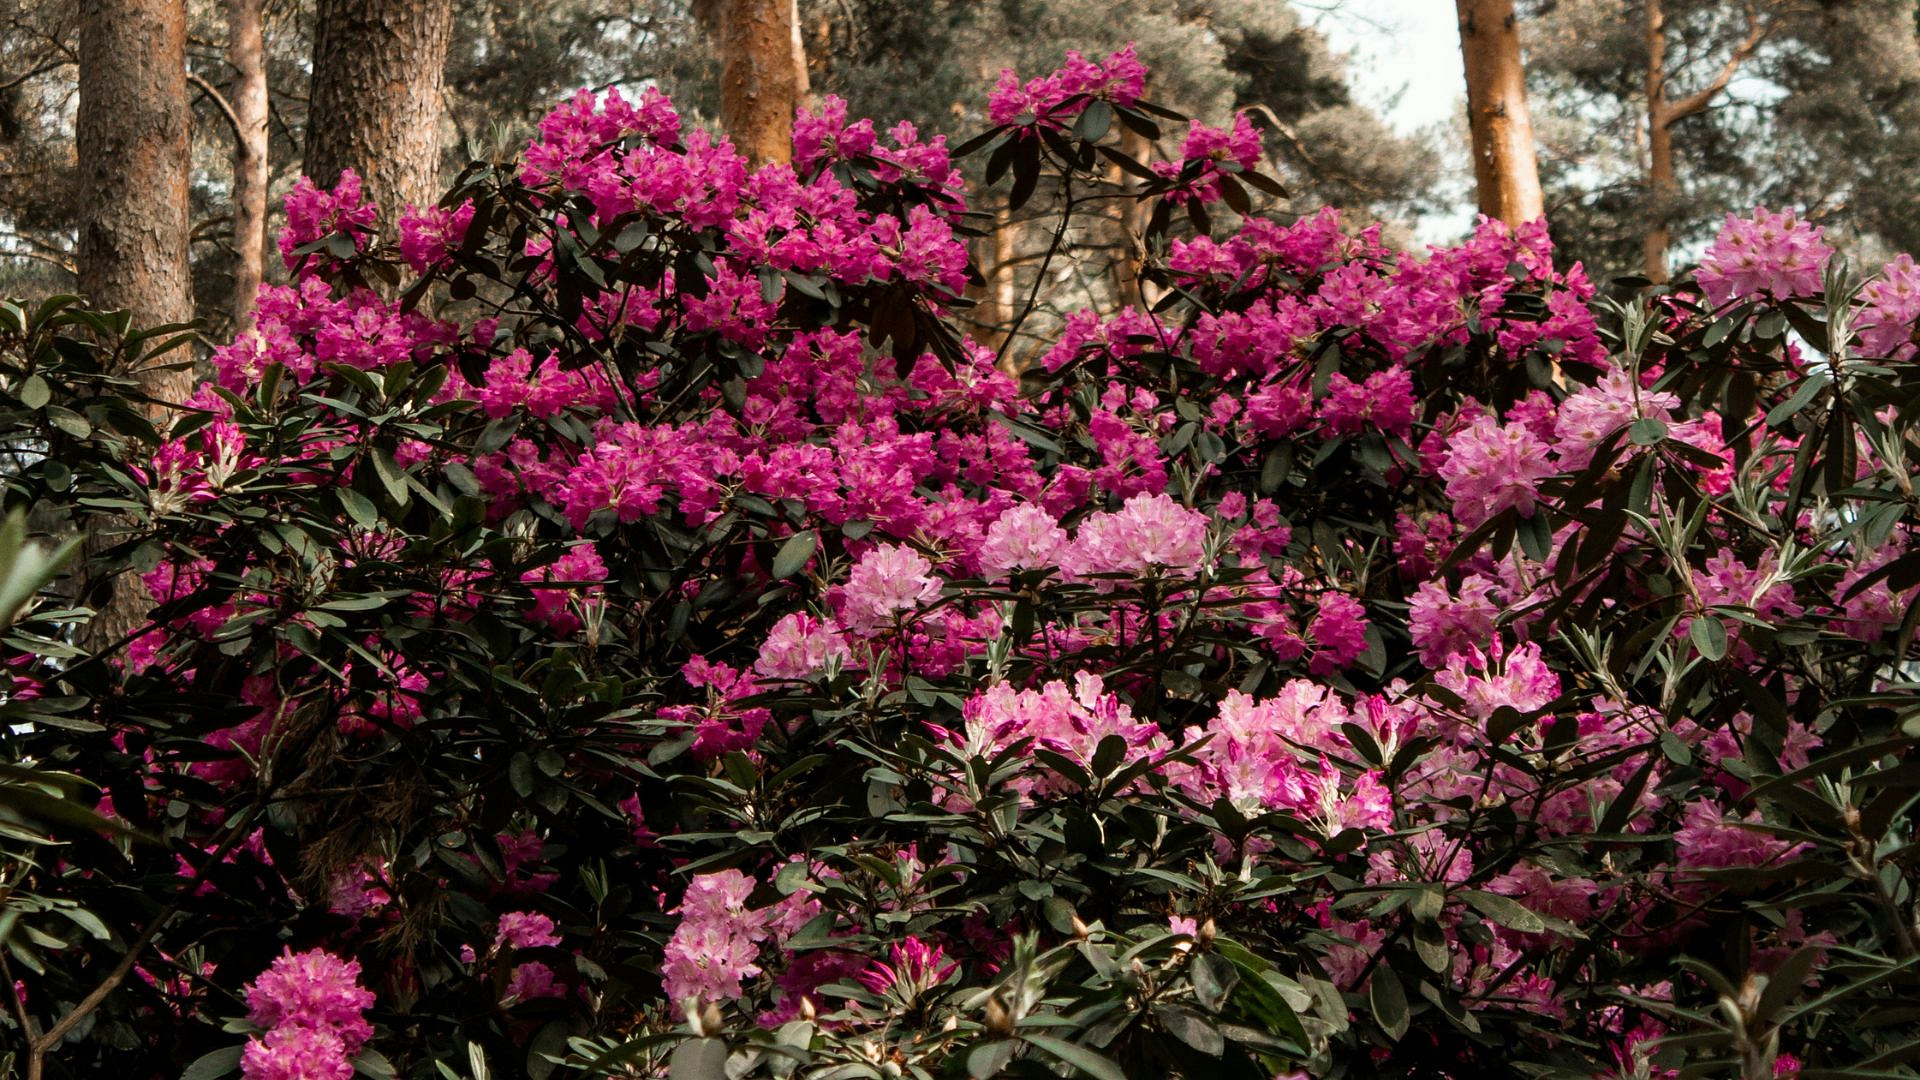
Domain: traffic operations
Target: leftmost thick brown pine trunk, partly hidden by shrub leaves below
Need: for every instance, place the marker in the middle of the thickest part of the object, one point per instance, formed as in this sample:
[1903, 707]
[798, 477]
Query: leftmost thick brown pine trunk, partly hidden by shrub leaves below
[132, 137]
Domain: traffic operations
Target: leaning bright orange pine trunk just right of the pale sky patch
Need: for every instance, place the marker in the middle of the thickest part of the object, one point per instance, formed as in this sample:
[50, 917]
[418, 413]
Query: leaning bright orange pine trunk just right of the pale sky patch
[1504, 164]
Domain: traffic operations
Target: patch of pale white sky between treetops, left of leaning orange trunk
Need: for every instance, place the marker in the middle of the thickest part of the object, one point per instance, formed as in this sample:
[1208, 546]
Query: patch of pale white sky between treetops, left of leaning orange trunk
[1403, 61]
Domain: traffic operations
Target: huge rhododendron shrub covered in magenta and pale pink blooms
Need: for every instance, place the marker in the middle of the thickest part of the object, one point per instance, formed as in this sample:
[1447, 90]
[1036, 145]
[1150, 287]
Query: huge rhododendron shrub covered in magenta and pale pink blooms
[625, 627]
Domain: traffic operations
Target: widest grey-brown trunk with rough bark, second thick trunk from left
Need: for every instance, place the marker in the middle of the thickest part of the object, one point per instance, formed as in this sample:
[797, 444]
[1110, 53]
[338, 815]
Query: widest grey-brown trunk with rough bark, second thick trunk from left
[375, 101]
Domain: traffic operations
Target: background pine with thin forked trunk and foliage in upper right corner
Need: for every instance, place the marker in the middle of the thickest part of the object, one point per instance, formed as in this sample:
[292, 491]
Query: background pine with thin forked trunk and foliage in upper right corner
[1781, 103]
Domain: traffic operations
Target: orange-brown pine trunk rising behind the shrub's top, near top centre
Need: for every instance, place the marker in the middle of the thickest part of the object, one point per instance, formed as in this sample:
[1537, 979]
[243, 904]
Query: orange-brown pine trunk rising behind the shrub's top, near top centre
[763, 74]
